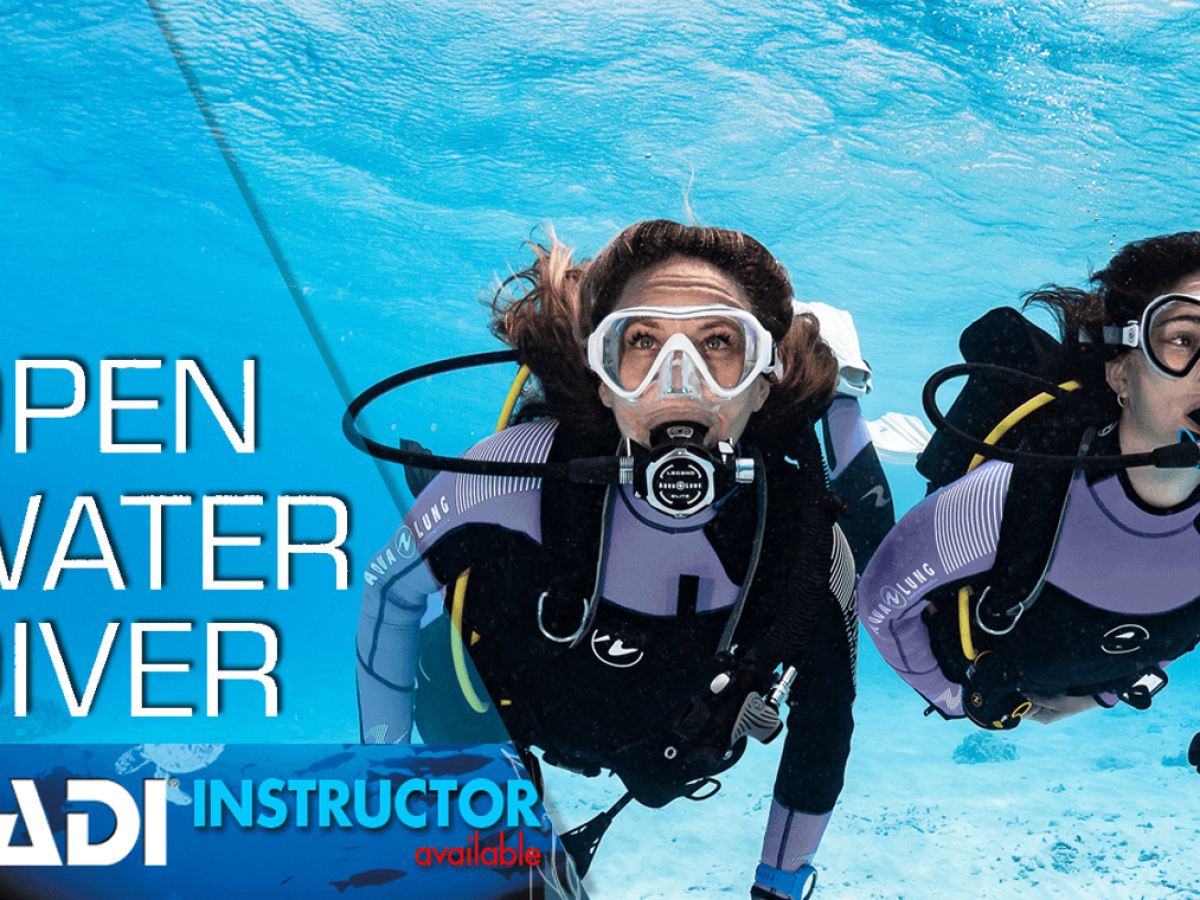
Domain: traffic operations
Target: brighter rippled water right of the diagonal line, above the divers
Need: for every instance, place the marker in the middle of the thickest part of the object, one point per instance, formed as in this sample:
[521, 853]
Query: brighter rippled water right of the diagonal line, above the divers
[914, 164]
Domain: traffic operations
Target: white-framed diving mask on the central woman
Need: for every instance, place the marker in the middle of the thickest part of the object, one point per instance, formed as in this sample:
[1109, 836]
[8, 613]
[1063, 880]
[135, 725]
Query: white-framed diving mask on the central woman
[683, 350]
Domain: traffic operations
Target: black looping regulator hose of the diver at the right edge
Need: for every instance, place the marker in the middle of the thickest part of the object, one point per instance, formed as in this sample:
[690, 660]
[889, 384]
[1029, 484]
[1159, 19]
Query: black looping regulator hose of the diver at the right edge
[1185, 455]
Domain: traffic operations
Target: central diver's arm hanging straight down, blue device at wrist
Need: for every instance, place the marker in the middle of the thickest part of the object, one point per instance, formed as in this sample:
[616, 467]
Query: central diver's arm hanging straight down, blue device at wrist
[820, 723]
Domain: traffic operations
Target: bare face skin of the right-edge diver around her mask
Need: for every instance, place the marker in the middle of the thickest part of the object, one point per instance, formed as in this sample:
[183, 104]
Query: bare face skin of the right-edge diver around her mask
[1159, 405]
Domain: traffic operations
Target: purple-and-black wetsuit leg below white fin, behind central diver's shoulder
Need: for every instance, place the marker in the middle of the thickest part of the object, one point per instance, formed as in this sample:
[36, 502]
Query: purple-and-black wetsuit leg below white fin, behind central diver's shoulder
[857, 477]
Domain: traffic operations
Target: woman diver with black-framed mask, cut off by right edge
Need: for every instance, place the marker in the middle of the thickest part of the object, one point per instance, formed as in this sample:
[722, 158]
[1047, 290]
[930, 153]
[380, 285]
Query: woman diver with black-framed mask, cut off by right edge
[1064, 575]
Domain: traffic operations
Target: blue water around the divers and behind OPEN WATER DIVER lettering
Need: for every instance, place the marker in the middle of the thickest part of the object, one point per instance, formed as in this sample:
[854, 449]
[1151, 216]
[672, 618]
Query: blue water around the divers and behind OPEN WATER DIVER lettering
[915, 164]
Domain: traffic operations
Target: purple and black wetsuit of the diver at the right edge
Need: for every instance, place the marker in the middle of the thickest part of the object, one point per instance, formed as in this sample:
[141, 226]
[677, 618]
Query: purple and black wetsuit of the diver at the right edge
[1124, 585]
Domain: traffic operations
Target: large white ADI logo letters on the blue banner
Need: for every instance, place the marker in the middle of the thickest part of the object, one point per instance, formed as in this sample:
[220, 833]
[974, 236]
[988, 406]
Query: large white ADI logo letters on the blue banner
[43, 850]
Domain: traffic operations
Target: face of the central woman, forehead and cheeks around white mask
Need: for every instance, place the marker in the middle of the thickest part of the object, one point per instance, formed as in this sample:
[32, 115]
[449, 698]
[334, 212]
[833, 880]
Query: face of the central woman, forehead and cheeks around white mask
[681, 281]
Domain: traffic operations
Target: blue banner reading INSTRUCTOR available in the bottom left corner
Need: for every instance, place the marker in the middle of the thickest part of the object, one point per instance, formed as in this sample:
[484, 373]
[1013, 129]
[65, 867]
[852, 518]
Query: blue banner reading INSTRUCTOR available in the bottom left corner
[181, 821]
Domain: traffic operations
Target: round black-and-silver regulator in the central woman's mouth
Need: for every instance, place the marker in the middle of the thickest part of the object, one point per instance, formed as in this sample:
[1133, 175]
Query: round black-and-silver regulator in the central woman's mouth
[677, 475]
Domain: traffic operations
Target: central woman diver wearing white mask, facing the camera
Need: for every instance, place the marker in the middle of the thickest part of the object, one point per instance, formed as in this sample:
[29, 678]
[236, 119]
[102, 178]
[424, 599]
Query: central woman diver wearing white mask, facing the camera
[651, 619]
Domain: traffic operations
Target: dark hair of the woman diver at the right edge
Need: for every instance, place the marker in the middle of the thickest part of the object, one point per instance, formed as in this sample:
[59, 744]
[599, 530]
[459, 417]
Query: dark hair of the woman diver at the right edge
[1119, 295]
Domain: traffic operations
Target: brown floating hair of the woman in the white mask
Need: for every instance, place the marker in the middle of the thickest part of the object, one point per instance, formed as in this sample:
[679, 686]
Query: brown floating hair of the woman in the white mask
[548, 310]
